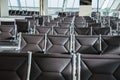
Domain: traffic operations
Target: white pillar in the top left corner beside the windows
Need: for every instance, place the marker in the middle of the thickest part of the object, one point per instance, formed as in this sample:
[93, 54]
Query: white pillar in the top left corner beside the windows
[3, 8]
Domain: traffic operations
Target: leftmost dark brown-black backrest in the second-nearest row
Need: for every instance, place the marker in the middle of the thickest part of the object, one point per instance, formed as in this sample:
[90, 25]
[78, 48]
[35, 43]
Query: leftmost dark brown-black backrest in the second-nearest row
[32, 42]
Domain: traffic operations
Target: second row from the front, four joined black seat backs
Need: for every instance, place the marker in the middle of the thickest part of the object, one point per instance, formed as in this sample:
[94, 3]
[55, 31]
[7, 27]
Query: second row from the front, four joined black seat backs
[54, 44]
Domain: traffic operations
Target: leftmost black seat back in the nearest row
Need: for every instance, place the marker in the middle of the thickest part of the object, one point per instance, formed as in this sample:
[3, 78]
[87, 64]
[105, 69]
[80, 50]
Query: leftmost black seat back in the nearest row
[14, 66]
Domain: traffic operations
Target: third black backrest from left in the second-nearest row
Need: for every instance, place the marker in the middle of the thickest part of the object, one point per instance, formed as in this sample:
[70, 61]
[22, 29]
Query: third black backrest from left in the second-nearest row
[87, 44]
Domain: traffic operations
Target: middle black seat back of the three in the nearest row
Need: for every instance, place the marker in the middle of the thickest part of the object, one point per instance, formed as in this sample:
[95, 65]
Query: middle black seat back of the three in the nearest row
[51, 67]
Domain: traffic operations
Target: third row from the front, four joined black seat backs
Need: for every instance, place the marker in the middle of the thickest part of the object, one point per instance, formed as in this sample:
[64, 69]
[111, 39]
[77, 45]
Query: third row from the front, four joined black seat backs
[76, 31]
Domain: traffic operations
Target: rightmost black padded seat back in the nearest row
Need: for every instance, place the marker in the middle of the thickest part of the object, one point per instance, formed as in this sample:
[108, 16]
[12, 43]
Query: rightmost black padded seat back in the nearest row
[95, 67]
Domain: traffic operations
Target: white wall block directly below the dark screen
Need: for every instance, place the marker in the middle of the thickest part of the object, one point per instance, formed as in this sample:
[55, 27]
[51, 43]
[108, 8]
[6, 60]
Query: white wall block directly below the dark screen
[85, 10]
